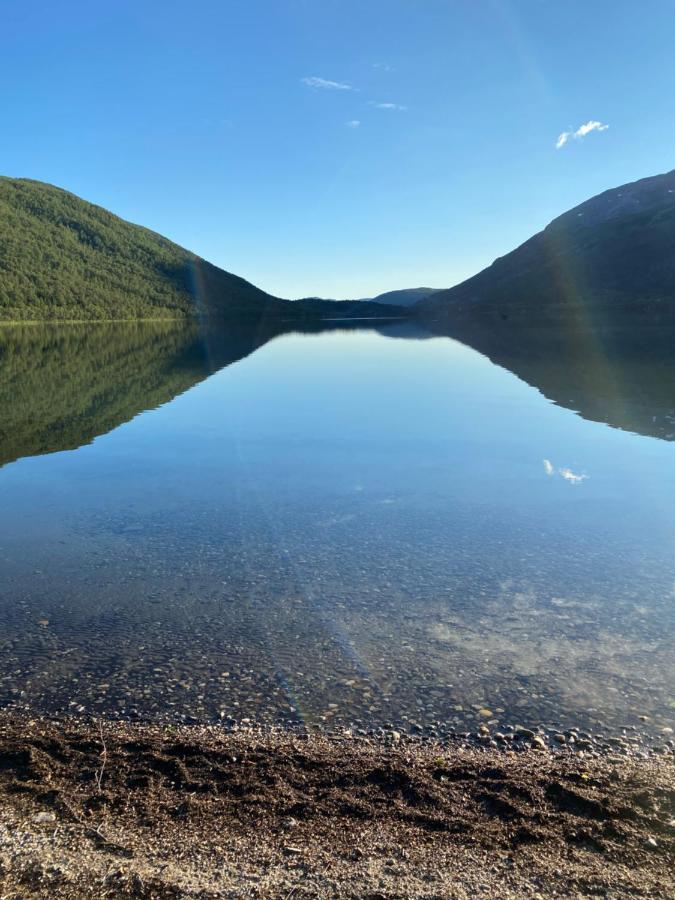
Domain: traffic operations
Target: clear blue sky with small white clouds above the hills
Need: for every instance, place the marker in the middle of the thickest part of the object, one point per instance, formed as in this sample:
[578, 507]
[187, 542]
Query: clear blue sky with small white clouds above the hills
[210, 121]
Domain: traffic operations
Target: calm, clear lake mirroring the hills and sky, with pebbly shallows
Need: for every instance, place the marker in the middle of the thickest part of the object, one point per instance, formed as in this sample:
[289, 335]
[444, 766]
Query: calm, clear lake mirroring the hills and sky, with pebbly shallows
[355, 526]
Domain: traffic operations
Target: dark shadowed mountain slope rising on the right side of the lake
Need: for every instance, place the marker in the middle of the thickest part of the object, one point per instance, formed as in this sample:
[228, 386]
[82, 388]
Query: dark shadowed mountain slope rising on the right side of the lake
[610, 259]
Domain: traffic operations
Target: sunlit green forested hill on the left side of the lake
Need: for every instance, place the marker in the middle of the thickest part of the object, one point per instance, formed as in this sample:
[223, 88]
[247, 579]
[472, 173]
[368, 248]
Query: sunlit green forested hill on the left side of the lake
[64, 258]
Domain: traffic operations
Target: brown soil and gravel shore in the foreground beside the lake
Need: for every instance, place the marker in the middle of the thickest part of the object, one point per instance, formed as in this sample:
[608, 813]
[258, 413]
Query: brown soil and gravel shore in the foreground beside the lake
[113, 810]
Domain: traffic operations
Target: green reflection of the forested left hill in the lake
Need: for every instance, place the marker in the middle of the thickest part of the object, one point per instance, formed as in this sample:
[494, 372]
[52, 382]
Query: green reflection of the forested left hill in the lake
[61, 386]
